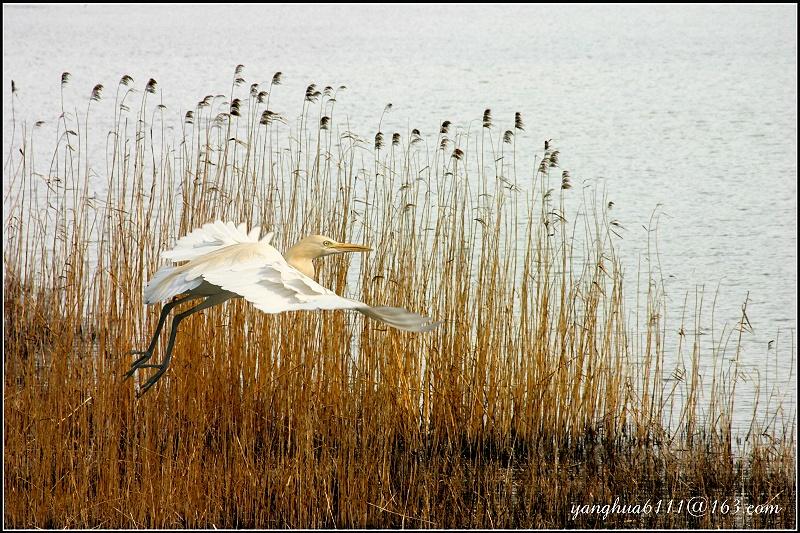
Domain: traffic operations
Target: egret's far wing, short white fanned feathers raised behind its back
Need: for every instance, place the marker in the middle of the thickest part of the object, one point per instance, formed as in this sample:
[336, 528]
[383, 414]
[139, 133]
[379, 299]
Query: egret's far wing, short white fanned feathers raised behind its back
[212, 237]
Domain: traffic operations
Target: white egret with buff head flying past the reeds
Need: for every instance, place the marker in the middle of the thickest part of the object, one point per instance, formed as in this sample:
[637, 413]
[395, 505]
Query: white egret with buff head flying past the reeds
[226, 261]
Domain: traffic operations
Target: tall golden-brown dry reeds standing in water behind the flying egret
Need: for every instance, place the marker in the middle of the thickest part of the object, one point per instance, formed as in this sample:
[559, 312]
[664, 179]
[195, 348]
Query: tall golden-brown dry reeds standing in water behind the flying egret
[538, 394]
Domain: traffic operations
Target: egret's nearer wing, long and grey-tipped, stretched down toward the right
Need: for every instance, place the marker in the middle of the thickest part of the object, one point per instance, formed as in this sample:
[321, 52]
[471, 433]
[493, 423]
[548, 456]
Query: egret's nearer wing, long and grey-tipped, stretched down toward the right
[260, 274]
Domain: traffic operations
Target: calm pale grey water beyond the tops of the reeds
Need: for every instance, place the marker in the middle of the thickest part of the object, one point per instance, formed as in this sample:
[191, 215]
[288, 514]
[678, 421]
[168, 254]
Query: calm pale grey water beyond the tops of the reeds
[691, 109]
